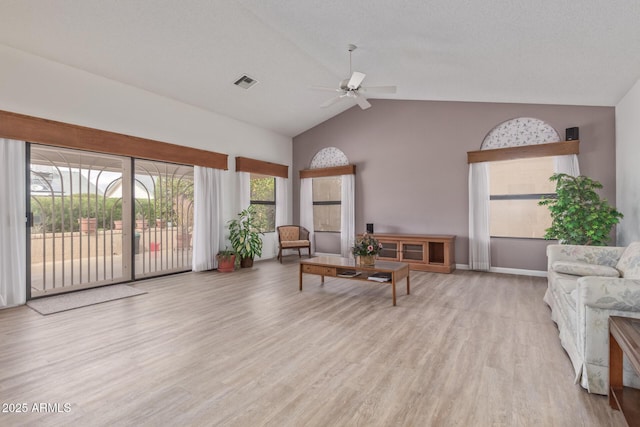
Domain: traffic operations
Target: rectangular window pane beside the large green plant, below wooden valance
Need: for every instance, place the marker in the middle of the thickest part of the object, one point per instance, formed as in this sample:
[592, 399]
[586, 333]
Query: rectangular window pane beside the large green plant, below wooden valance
[516, 186]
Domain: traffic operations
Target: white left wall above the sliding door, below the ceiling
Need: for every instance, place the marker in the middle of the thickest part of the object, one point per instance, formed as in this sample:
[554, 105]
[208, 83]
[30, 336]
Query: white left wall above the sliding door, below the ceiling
[38, 87]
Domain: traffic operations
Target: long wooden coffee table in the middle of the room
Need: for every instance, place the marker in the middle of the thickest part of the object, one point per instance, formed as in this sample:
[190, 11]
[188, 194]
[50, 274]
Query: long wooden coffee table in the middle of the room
[339, 266]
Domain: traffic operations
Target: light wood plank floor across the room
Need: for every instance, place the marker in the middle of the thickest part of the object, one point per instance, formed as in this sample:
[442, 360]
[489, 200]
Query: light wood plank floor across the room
[249, 349]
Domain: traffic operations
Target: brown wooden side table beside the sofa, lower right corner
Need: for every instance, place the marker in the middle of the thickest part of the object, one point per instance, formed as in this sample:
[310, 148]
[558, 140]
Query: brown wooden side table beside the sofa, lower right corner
[624, 338]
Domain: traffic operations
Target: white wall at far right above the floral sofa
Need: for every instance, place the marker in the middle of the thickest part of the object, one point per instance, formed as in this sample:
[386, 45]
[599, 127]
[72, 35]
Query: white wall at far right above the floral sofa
[628, 165]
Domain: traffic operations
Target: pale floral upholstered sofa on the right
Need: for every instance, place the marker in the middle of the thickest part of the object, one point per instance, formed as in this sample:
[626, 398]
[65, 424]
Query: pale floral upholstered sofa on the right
[587, 284]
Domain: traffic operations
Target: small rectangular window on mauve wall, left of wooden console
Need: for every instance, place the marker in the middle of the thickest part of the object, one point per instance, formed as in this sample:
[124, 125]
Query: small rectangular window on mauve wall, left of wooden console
[327, 193]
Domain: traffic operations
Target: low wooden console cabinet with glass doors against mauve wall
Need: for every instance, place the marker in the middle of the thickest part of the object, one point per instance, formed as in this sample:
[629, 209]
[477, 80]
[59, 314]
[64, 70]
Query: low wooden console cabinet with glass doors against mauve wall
[434, 253]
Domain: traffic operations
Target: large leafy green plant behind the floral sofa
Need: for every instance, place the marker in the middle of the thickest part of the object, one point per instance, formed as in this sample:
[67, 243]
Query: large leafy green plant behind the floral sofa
[579, 216]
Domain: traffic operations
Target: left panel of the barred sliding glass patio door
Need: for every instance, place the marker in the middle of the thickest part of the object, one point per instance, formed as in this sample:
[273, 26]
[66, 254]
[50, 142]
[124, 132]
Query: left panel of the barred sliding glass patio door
[75, 242]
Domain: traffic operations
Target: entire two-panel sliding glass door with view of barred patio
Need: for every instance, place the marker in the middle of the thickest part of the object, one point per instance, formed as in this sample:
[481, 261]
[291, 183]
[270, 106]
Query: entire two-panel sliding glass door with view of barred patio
[99, 219]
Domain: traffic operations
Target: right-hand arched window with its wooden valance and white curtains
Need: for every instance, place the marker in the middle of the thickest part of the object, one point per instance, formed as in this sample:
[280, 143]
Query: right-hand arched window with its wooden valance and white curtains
[513, 188]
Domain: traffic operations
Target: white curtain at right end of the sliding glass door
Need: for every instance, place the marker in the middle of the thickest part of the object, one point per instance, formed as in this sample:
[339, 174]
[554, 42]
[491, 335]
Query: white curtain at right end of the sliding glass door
[206, 217]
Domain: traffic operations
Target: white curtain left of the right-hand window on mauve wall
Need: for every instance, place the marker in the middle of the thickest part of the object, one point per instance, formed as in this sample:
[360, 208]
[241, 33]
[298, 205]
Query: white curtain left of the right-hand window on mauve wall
[479, 241]
